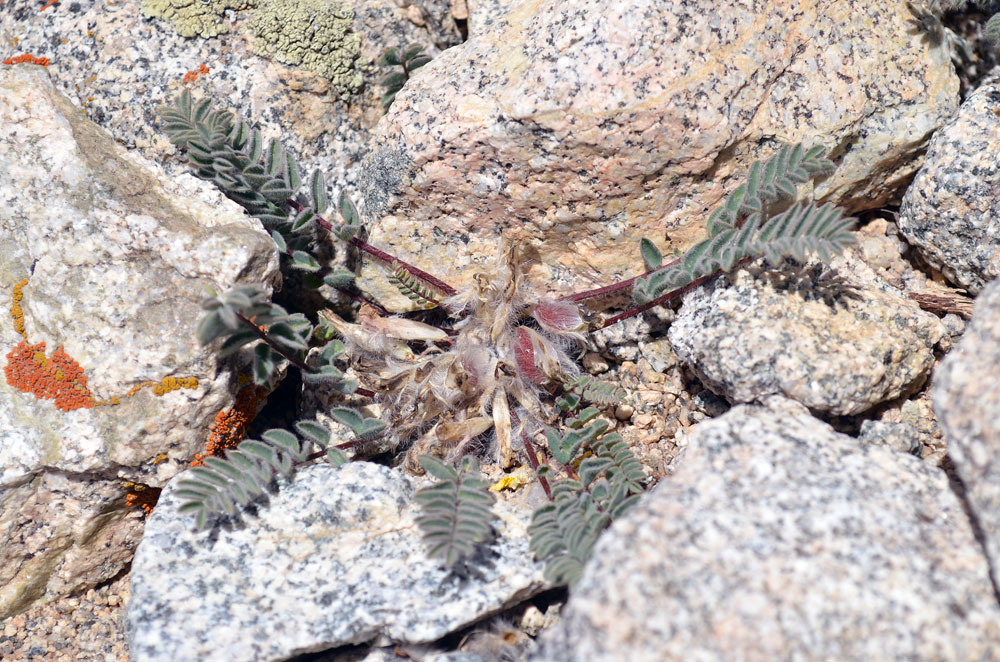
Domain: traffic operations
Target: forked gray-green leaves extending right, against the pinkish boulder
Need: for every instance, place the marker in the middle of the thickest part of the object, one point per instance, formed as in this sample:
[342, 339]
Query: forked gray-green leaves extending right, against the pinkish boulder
[743, 226]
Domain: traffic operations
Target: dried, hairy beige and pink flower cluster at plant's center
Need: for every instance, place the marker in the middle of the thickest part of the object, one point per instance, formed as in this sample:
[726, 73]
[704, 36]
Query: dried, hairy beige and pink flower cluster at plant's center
[480, 391]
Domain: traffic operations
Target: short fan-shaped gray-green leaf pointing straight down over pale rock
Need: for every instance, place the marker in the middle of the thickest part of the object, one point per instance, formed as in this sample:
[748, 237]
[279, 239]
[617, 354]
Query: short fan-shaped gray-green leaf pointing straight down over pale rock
[456, 517]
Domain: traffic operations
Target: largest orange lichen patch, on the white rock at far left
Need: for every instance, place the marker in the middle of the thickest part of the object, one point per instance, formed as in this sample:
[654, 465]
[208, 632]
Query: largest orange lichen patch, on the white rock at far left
[57, 377]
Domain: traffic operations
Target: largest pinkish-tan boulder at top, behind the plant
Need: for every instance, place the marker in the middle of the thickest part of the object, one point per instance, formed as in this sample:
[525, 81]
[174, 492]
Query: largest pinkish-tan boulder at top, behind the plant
[589, 124]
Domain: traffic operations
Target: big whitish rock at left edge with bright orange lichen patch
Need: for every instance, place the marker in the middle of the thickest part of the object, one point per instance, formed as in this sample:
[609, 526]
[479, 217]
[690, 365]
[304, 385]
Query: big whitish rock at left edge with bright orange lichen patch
[105, 261]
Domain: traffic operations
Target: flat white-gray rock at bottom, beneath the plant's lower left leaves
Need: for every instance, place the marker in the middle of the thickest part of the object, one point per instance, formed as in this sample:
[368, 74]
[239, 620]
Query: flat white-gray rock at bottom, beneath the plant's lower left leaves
[335, 559]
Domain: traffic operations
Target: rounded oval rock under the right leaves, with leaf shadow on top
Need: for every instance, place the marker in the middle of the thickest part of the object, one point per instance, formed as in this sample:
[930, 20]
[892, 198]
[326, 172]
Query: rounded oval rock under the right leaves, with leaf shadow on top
[831, 343]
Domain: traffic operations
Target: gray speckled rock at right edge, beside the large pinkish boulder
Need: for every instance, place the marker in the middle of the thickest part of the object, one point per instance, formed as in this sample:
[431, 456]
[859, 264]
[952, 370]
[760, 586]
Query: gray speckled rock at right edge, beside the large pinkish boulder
[951, 212]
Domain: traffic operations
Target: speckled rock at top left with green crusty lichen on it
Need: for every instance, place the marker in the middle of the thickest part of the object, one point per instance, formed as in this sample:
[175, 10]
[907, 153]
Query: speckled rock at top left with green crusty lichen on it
[119, 66]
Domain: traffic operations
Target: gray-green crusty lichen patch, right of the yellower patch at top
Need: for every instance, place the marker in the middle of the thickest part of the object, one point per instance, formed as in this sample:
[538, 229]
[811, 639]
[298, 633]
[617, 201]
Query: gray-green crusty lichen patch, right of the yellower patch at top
[312, 34]
